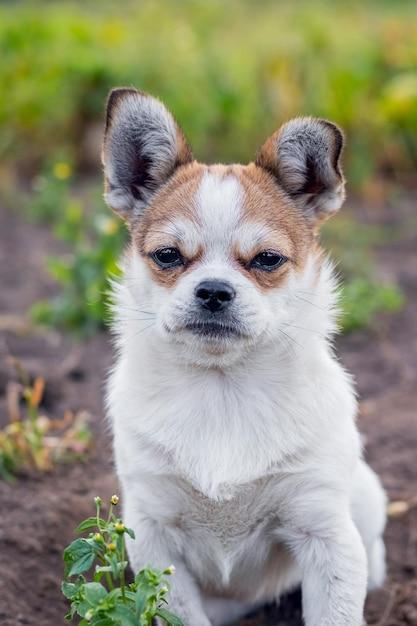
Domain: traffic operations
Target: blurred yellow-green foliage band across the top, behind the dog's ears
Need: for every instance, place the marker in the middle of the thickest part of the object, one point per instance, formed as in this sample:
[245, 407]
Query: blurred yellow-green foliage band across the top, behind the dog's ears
[231, 72]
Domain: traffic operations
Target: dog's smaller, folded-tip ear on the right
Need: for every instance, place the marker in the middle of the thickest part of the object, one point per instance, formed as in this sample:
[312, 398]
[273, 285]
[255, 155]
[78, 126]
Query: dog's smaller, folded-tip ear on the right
[304, 157]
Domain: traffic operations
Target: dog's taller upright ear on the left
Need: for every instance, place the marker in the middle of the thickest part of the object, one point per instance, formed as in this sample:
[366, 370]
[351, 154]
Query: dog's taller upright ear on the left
[143, 146]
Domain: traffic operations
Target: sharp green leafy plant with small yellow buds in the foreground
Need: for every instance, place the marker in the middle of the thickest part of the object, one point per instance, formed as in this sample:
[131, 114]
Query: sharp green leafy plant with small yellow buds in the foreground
[107, 599]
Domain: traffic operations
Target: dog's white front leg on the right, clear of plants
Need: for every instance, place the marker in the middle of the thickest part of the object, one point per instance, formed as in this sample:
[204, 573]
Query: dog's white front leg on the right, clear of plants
[332, 559]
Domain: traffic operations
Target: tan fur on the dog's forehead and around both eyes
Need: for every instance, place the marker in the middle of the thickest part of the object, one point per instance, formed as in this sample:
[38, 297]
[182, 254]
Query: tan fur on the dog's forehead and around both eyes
[266, 211]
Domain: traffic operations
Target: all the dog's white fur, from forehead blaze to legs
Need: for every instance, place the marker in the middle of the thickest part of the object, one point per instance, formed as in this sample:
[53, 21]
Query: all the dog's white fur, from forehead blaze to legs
[241, 463]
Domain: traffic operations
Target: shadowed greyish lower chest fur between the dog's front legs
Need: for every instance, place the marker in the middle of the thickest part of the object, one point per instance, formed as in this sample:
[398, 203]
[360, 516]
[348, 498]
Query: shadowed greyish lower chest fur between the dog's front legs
[223, 538]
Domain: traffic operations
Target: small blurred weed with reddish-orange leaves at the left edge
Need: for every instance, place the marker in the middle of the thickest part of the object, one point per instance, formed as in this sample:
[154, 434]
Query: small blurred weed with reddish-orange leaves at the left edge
[32, 441]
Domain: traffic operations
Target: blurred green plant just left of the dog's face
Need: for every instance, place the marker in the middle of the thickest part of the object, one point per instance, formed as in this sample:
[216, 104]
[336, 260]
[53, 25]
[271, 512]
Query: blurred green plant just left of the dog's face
[94, 240]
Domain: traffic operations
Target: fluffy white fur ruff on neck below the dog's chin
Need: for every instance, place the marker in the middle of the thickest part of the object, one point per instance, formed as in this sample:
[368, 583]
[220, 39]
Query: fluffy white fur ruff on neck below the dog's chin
[224, 426]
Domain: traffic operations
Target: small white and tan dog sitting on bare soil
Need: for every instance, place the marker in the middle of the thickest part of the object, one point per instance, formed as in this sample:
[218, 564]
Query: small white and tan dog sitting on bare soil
[234, 426]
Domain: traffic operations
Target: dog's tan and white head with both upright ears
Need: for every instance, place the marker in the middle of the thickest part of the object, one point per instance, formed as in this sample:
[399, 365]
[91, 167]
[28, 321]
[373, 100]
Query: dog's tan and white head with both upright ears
[218, 252]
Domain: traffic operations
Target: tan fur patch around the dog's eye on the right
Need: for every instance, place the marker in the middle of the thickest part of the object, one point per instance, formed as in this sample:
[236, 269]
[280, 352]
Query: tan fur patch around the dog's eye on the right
[287, 231]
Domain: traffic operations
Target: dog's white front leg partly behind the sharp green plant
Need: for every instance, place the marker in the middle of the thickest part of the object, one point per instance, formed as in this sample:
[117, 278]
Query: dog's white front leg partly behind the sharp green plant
[152, 547]
